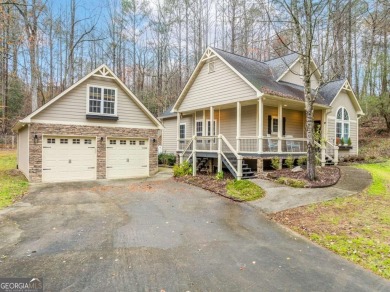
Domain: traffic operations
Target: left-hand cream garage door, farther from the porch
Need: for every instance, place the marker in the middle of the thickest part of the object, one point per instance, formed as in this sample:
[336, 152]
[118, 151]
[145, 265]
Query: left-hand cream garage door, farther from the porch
[68, 159]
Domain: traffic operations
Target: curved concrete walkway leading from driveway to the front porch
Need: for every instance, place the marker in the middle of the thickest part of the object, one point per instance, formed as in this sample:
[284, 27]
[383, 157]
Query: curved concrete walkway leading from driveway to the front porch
[280, 197]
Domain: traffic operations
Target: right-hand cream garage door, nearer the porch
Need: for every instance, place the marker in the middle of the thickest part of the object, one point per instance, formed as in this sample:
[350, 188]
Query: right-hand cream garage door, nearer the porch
[127, 158]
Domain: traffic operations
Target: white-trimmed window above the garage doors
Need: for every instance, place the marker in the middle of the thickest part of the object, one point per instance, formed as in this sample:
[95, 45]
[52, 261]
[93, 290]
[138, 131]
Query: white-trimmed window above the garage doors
[101, 100]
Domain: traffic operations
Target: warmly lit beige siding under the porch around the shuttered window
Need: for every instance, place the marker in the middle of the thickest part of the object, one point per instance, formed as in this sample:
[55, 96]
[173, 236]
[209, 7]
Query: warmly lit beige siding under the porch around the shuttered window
[294, 121]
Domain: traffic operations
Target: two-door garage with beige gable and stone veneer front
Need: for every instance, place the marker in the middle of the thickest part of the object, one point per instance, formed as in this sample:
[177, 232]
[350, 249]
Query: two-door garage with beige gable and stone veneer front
[95, 129]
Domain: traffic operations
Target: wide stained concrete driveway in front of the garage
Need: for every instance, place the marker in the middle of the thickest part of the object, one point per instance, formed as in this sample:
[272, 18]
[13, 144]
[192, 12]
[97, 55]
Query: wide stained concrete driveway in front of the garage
[161, 235]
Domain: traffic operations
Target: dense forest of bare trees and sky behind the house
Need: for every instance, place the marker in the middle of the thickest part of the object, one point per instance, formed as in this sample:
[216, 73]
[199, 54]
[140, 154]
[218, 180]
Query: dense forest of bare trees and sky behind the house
[153, 45]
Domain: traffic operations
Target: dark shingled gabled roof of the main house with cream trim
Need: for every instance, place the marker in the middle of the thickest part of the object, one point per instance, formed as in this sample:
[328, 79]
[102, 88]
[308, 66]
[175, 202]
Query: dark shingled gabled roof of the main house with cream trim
[264, 78]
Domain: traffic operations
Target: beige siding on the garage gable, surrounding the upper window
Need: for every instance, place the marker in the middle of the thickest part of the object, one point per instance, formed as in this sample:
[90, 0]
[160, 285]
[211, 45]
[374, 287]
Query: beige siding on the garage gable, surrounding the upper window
[72, 107]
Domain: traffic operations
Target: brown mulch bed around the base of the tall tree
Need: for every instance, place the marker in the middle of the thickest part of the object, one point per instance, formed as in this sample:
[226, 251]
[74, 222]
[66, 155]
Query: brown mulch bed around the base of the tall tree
[326, 176]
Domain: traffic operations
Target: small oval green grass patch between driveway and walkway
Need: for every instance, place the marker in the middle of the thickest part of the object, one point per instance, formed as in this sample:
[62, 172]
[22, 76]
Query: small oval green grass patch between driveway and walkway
[244, 190]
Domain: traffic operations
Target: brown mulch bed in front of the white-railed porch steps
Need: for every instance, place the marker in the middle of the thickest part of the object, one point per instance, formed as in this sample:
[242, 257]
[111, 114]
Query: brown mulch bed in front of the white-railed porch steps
[208, 183]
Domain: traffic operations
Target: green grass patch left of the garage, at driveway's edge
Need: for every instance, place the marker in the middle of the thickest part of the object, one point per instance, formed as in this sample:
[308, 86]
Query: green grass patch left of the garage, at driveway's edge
[12, 184]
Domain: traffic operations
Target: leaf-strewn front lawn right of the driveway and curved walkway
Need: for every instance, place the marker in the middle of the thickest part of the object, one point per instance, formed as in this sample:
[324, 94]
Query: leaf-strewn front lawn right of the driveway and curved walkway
[356, 227]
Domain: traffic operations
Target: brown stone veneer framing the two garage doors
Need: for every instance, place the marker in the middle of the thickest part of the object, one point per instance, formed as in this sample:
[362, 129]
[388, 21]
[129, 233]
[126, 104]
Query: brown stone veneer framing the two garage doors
[35, 171]
